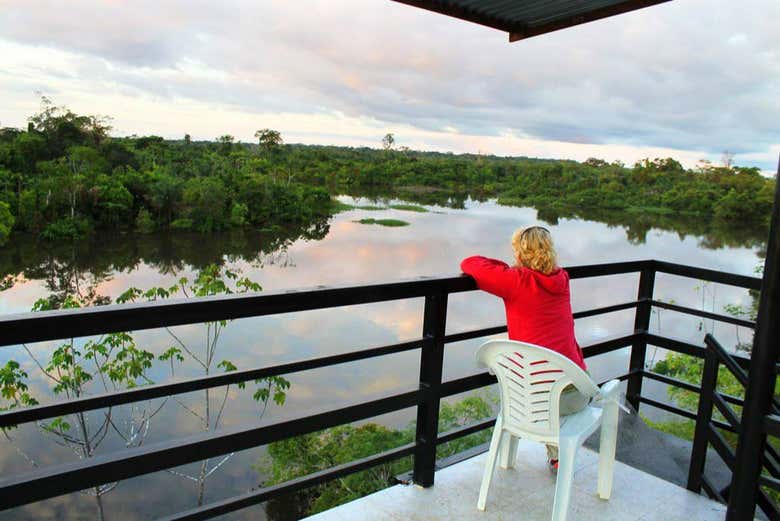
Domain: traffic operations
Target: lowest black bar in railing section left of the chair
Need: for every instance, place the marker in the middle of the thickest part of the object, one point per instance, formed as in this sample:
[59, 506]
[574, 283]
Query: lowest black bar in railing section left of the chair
[249, 499]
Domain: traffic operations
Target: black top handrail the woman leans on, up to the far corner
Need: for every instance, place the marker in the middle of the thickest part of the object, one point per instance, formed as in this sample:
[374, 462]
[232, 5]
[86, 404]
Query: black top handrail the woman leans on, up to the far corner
[71, 323]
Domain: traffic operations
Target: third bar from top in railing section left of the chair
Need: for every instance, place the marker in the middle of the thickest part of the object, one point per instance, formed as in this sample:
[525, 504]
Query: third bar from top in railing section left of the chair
[70, 477]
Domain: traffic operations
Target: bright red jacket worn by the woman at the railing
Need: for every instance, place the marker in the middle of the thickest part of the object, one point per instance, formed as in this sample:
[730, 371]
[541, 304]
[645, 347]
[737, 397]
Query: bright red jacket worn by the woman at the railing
[538, 306]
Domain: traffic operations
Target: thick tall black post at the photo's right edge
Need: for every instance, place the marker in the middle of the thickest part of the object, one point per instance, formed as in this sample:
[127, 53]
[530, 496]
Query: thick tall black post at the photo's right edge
[761, 380]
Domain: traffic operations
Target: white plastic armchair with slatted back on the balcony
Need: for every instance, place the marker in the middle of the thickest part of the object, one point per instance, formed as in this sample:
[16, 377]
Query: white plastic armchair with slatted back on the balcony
[530, 381]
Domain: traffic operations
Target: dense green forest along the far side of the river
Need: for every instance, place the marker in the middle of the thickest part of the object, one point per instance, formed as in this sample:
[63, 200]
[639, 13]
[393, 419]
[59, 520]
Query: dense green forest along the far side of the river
[65, 176]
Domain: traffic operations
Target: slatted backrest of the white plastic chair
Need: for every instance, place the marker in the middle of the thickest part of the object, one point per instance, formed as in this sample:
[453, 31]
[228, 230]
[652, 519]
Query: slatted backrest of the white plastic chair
[530, 380]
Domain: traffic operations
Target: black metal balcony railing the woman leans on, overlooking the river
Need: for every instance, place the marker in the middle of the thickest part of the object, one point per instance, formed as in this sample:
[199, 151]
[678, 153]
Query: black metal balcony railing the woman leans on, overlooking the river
[56, 480]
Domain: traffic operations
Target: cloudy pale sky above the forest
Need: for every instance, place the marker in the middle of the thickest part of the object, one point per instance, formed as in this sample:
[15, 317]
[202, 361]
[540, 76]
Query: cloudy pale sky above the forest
[688, 79]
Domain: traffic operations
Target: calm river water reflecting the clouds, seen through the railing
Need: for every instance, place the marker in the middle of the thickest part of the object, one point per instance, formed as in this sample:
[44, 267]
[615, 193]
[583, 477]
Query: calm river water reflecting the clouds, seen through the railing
[338, 252]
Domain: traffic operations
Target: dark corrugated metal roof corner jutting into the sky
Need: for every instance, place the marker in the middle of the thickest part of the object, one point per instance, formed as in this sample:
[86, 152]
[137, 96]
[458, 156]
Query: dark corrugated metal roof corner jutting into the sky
[526, 18]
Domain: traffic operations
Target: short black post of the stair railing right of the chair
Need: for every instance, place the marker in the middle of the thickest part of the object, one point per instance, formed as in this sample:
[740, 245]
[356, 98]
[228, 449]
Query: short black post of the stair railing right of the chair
[701, 437]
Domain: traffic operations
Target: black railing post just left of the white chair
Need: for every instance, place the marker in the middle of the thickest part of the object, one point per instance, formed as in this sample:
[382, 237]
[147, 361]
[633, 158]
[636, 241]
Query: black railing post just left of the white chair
[431, 363]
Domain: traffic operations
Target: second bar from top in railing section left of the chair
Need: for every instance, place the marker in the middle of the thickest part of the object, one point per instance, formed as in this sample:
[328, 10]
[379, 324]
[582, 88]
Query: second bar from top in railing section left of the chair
[17, 416]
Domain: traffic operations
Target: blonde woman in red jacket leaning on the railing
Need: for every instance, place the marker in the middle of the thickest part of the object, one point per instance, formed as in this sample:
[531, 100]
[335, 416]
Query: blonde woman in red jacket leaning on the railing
[538, 303]
